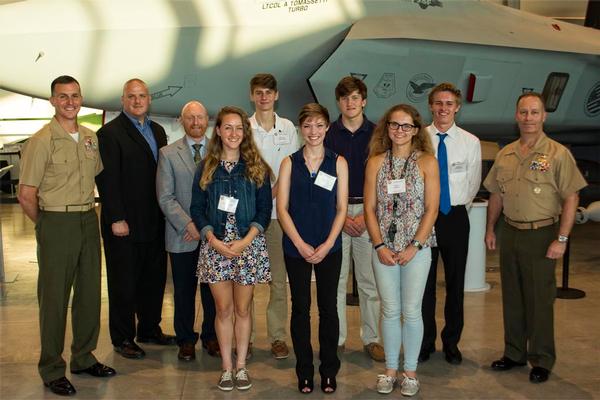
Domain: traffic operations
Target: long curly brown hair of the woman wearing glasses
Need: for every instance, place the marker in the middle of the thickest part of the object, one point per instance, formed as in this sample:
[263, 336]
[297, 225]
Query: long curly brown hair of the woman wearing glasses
[381, 142]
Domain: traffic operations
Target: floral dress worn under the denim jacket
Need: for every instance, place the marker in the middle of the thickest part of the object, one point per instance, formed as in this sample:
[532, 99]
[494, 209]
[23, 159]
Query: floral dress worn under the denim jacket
[250, 268]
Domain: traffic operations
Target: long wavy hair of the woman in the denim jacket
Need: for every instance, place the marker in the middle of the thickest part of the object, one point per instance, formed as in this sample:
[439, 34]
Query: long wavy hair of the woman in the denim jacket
[256, 167]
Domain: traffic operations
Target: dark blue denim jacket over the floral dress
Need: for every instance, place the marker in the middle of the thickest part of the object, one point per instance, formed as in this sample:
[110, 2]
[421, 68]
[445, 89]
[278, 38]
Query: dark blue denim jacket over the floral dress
[253, 209]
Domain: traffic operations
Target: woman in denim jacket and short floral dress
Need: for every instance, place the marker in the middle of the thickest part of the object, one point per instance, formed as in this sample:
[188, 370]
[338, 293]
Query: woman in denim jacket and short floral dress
[231, 205]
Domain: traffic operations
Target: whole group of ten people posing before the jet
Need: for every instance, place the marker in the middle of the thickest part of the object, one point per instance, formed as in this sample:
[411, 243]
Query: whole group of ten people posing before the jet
[389, 196]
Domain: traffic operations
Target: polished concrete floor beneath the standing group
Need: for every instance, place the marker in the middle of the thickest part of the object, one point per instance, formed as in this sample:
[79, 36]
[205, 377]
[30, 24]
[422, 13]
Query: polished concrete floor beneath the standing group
[161, 376]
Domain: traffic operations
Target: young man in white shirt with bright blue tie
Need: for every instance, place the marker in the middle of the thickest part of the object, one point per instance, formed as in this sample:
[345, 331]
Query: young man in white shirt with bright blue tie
[459, 157]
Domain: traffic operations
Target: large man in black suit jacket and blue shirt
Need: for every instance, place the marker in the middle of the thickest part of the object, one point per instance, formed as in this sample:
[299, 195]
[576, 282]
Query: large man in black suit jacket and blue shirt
[132, 223]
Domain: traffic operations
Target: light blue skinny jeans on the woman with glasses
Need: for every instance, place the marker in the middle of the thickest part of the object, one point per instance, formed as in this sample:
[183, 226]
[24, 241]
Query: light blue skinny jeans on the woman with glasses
[401, 292]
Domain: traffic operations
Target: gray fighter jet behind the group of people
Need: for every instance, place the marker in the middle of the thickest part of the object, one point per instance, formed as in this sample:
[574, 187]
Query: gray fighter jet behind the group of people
[208, 50]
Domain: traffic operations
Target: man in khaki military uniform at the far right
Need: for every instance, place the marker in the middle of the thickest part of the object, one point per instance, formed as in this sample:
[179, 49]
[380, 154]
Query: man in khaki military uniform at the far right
[534, 182]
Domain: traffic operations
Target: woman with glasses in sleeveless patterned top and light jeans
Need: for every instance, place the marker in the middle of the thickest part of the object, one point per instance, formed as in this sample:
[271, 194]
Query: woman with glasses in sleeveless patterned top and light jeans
[401, 202]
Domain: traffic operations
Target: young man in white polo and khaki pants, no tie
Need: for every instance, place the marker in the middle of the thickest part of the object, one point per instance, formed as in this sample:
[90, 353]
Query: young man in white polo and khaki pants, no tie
[276, 138]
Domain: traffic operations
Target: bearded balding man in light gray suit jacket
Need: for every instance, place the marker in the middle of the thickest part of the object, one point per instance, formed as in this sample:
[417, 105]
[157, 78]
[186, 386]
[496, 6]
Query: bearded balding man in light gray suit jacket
[177, 164]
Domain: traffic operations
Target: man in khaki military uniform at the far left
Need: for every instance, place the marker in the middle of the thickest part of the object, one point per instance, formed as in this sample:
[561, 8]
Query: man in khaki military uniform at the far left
[56, 191]
